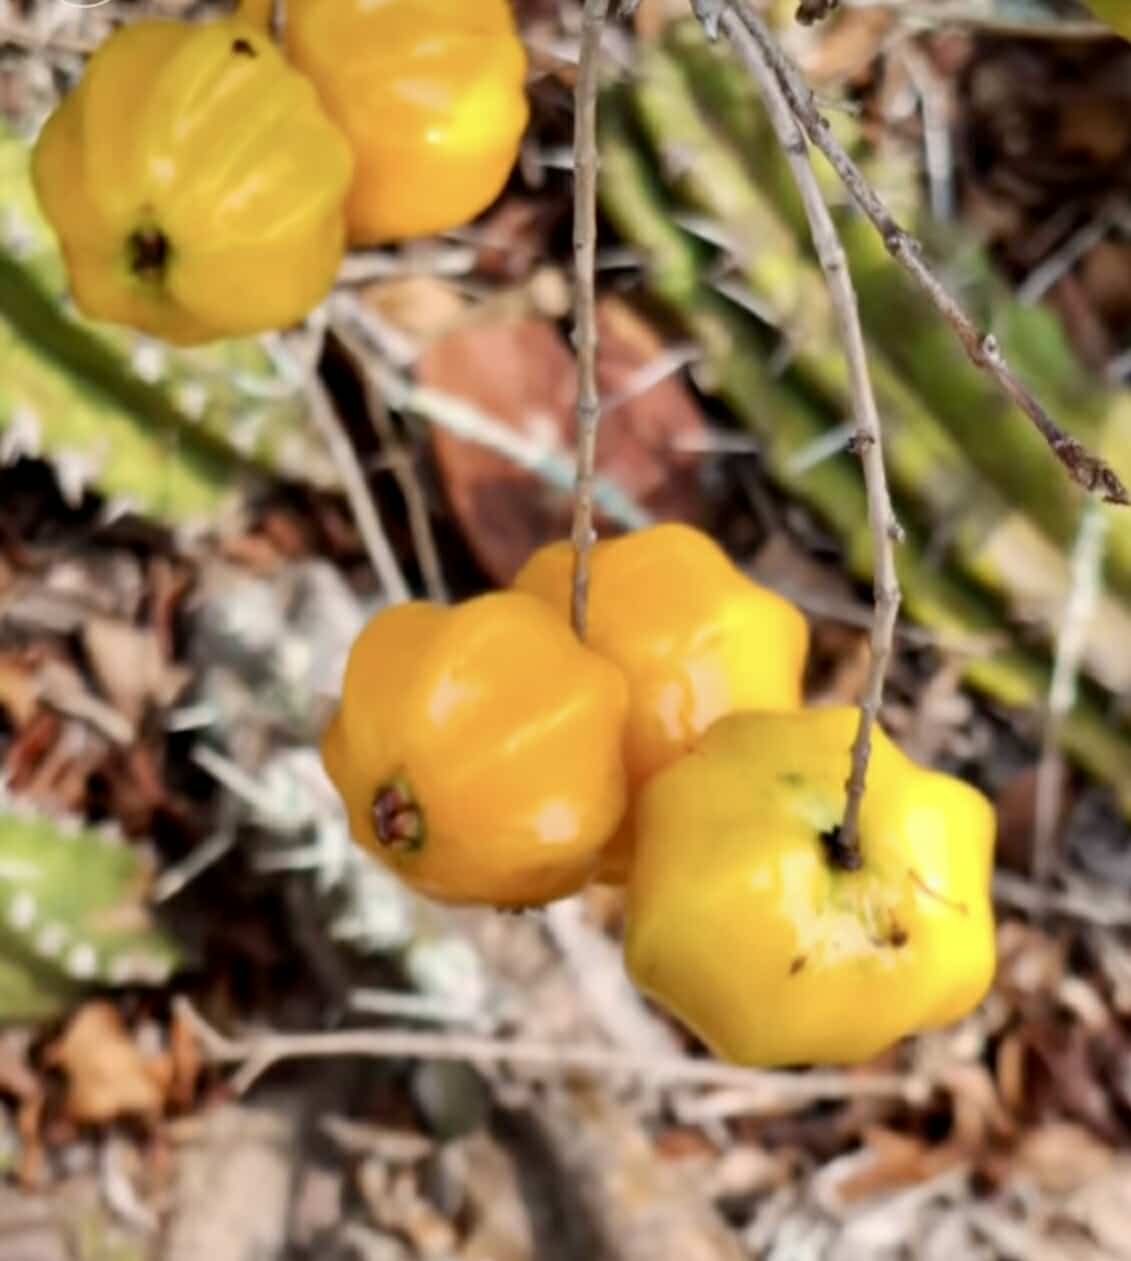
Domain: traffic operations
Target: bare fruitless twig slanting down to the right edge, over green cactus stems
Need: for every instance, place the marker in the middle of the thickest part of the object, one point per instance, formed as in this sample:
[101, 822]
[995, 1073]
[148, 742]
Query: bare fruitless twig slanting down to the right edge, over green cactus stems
[1089, 471]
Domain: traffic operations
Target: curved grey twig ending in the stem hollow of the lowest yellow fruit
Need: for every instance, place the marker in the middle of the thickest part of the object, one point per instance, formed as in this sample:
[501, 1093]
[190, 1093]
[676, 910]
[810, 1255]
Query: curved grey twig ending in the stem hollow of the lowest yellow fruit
[868, 436]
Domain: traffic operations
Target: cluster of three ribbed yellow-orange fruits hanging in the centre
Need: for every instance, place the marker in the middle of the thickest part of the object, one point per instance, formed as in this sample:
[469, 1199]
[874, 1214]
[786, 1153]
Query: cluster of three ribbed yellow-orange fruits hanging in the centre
[489, 756]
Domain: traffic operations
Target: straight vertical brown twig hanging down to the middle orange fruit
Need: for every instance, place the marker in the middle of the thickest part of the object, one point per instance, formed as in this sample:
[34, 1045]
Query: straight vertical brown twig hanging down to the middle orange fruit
[593, 25]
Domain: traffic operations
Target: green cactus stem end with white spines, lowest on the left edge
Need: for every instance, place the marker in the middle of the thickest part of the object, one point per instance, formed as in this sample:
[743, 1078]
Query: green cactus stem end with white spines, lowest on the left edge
[72, 914]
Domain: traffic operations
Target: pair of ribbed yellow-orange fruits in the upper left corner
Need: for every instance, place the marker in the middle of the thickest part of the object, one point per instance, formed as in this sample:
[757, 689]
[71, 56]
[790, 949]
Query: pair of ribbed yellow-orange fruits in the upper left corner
[205, 183]
